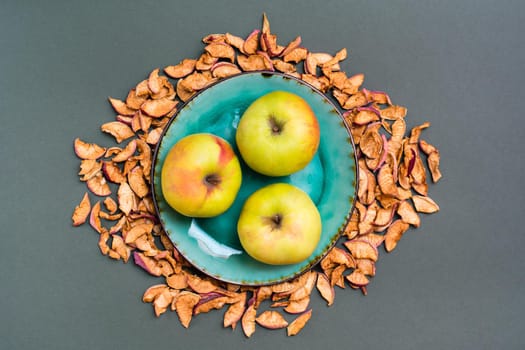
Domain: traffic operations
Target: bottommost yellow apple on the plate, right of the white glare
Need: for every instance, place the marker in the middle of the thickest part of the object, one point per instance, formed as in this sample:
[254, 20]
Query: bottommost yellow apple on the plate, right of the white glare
[279, 224]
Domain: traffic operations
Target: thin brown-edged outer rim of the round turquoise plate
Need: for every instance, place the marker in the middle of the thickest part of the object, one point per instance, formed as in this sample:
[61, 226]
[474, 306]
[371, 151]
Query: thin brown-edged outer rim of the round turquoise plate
[335, 238]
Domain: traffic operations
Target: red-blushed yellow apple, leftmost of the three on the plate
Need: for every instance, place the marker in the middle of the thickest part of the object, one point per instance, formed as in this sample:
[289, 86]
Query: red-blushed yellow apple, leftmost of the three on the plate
[201, 175]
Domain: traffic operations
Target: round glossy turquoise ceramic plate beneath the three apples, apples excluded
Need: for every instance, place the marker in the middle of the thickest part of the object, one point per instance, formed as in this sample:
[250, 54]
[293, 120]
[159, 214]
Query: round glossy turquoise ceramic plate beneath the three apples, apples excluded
[212, 245]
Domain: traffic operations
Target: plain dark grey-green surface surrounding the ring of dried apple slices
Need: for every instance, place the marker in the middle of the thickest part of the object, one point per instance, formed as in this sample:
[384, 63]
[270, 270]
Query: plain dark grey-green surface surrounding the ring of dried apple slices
[455, 283]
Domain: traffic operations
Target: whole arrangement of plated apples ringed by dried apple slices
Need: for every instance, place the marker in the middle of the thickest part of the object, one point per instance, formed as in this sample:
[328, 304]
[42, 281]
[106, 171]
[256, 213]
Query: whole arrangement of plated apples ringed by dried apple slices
[250, 177]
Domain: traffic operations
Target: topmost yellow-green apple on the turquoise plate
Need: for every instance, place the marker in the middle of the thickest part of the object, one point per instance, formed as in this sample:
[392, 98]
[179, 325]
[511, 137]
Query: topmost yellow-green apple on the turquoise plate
[278, 134]
